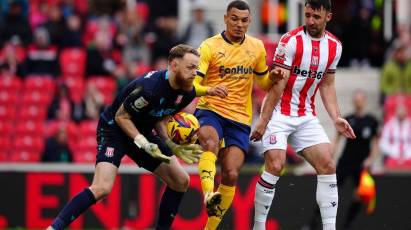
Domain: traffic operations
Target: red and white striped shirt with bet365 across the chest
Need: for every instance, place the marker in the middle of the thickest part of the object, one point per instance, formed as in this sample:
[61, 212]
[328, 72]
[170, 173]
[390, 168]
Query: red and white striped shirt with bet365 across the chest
[308, 59]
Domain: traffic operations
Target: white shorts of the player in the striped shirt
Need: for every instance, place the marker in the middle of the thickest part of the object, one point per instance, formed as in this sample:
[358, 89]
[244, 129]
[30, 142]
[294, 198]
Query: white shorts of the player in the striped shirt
[302, 132]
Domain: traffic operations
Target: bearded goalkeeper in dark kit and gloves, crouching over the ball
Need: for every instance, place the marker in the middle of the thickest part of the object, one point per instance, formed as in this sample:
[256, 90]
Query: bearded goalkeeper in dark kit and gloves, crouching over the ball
[127, 128]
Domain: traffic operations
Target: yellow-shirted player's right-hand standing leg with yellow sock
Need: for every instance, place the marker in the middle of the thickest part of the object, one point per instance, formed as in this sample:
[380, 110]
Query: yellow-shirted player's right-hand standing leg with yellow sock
[232, 159]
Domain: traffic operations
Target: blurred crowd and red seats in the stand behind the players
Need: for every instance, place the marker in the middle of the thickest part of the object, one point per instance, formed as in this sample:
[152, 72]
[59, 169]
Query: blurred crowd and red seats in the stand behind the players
[63, 61]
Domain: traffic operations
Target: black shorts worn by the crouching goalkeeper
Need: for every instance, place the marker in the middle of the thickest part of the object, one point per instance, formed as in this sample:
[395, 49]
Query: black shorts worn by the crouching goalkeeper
[113, 144]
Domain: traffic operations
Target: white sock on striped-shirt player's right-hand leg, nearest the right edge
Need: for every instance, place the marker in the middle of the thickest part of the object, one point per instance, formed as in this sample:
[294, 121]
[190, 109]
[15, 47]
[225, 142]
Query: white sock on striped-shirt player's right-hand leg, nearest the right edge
[327, 199]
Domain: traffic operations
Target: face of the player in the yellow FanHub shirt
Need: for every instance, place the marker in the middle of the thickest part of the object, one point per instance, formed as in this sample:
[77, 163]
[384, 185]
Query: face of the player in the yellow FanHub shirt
[237, 22]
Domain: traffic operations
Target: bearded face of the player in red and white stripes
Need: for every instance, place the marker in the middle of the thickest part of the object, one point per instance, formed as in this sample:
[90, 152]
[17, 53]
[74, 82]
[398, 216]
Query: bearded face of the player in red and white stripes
[316, 20]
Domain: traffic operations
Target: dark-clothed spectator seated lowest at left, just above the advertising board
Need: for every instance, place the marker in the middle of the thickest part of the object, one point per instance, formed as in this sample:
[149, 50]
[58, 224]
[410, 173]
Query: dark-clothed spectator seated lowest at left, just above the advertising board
[56, 148]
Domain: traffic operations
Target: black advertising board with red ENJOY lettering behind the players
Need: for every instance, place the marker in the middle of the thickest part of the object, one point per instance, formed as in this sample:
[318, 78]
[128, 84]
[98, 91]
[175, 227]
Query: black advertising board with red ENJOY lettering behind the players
[32, 195]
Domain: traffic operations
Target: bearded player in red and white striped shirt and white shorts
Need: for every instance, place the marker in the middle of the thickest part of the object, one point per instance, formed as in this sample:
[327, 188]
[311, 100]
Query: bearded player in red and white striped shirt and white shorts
[305, 61]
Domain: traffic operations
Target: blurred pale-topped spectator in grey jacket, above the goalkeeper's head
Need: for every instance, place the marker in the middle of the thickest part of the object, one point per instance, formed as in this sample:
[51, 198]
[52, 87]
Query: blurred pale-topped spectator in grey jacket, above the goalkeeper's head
[199, 28]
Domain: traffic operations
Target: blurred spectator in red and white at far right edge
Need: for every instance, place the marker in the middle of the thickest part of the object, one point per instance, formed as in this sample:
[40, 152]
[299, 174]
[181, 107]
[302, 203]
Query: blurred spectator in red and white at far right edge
[395, 142]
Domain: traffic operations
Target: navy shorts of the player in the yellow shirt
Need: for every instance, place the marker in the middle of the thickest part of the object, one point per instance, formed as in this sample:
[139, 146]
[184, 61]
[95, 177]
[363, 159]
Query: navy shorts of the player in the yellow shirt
[229, 132]
